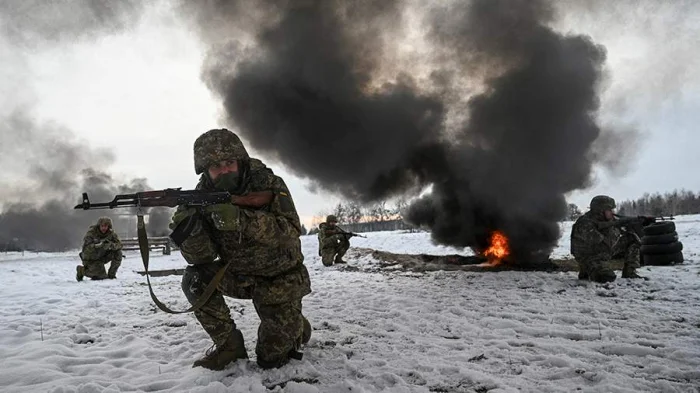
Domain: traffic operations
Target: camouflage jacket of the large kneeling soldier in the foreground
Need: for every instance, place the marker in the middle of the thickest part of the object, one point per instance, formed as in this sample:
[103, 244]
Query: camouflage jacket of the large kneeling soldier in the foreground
[257, 241]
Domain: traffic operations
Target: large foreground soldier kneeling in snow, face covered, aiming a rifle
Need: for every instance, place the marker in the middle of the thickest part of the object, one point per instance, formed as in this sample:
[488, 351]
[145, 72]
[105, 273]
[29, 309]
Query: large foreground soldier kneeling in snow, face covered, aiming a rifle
[260, 250]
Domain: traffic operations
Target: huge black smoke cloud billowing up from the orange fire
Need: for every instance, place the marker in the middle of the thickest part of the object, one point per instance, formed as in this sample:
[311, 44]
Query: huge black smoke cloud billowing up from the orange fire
[307, 92]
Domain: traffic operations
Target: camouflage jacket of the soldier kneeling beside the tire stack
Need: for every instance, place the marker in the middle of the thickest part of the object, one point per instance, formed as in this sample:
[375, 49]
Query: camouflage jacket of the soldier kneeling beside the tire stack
[593, 238]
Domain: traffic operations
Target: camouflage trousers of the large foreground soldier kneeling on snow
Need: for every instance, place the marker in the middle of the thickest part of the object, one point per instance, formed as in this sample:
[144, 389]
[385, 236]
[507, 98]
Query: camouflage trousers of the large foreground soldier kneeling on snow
[277, 302]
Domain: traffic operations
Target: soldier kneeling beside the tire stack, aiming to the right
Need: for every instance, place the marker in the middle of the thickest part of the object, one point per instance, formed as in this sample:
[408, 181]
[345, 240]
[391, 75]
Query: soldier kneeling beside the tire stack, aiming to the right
[596, 238]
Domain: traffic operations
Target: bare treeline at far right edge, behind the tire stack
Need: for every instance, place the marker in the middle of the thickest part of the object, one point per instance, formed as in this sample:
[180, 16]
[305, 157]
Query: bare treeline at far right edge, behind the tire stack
[670, 203]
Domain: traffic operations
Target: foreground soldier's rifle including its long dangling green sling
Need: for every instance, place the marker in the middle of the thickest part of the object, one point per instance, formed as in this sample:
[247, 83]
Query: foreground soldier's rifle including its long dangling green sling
[172, 197]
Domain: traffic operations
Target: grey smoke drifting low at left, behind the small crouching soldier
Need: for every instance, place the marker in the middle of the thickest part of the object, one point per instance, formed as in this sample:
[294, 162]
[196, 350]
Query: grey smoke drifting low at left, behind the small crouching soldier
[47, 172]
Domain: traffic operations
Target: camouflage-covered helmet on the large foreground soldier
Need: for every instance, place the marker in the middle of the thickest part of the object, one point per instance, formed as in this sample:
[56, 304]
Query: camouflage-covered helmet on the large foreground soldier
[215, 146]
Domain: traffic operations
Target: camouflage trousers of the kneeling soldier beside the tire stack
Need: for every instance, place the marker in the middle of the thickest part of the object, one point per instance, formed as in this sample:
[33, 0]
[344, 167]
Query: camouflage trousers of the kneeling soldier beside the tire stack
[598, 267]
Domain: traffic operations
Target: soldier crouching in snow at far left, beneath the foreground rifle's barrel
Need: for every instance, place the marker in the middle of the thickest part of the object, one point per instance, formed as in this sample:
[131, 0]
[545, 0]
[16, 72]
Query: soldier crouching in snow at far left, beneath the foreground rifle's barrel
[101, 245]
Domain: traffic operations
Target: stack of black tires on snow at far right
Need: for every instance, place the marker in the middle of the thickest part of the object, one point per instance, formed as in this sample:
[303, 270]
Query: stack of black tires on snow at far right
[660, 245]
